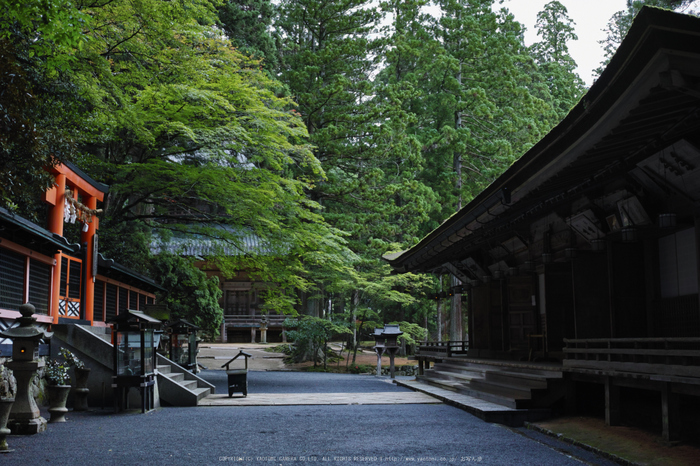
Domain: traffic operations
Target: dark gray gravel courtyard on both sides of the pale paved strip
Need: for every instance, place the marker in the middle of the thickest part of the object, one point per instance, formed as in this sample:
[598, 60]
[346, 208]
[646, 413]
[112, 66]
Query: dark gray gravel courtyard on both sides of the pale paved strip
[282, 435]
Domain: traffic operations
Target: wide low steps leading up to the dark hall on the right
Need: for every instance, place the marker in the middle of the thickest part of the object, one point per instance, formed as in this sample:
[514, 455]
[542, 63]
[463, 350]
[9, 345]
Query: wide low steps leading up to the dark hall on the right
[532, 388]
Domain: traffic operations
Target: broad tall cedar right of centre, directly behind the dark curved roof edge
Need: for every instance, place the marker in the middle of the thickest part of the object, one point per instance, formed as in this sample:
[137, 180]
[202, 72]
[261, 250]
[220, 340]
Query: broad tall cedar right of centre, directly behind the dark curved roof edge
[480, 110]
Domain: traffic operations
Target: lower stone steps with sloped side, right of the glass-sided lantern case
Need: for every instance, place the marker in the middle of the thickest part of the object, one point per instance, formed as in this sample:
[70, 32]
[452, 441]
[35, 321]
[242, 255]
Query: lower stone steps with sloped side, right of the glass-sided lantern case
[178, 386]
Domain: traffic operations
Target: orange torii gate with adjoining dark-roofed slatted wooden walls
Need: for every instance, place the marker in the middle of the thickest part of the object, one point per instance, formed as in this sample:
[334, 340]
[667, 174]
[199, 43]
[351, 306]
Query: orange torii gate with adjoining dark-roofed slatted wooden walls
[67, 283]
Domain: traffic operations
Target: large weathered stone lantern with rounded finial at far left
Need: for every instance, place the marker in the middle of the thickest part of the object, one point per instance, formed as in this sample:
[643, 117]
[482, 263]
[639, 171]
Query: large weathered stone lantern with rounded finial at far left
[25, 418]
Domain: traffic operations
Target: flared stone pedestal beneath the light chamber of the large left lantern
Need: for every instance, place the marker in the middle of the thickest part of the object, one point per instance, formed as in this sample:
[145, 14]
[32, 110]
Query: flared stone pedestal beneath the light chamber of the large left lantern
[25, 418]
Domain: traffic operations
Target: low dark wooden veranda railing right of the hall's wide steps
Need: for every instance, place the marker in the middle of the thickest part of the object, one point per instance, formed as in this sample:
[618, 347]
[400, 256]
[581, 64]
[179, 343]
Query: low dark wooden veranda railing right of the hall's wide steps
[673, 357]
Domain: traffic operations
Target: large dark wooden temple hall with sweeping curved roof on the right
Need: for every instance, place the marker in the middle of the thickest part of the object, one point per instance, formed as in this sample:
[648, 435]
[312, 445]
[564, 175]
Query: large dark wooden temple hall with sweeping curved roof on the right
[584, 254]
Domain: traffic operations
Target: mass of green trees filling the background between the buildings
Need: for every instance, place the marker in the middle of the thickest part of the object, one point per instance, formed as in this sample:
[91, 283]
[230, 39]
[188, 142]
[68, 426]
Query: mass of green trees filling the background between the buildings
[331, 132]
